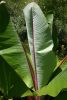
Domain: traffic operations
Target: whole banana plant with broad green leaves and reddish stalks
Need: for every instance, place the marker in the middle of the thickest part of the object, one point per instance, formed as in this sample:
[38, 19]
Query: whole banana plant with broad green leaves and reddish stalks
[35, 73]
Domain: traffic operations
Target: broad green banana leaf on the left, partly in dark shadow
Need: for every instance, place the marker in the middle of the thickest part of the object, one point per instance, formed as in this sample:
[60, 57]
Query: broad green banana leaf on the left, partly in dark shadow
[14, 72]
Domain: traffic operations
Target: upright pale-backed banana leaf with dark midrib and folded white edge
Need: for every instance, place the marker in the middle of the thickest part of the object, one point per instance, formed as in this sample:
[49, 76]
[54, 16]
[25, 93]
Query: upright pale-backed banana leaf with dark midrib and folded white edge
[39, 30]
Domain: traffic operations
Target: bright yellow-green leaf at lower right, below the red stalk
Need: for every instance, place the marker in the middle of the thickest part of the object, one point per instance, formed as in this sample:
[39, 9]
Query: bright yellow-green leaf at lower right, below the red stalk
[55, 86]
